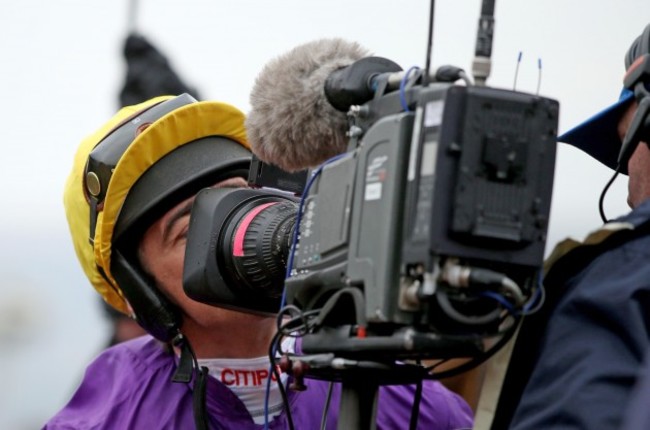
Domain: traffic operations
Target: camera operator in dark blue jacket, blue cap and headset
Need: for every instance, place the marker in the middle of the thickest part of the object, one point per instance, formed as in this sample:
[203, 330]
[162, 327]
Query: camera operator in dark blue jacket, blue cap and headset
[599, 332]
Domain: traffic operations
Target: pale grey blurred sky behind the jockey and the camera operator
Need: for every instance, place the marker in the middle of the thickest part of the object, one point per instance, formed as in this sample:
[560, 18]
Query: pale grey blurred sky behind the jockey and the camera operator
[62, 69]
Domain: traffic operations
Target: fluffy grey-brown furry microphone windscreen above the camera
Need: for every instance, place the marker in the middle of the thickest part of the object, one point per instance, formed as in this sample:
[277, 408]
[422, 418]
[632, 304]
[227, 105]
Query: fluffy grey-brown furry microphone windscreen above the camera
[291, 123]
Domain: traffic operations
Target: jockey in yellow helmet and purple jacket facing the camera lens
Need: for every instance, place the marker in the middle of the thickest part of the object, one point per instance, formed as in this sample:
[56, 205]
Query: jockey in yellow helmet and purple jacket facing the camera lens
[128, 201]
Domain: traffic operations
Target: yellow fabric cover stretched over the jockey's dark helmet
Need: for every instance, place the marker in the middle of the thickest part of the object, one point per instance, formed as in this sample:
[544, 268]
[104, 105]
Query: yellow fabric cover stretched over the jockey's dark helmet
[183, 125]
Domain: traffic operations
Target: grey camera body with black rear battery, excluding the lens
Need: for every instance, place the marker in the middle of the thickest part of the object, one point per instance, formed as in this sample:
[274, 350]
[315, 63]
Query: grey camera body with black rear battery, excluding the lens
[464, 178]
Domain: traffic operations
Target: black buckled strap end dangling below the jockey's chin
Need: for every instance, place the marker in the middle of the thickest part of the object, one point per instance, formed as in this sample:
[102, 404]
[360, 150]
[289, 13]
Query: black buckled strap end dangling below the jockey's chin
[184, 373]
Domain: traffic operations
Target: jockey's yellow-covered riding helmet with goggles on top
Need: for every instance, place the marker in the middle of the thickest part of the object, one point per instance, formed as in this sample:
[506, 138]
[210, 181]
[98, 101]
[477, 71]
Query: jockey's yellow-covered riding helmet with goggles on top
[141, 163]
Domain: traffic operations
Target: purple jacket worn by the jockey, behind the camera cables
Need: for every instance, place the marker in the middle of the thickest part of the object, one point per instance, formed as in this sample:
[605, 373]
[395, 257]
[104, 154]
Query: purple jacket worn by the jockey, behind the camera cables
[129, 386]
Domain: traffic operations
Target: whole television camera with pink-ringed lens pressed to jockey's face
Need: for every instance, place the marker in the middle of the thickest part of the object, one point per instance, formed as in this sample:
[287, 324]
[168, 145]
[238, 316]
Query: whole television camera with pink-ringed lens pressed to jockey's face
[423, 240]
